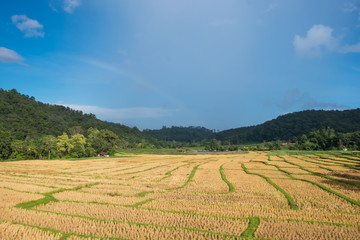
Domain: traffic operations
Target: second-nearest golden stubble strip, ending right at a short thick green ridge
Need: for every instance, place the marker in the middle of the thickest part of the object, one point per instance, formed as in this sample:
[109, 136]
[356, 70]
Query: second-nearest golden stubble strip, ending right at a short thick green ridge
[225, 226]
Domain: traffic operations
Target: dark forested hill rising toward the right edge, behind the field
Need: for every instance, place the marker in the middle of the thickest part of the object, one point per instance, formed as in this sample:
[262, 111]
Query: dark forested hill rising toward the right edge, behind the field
[292, 125]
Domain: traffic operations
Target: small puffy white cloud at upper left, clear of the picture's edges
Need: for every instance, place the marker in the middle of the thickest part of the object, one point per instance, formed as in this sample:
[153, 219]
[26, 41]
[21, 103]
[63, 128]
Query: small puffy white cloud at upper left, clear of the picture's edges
[31, 27]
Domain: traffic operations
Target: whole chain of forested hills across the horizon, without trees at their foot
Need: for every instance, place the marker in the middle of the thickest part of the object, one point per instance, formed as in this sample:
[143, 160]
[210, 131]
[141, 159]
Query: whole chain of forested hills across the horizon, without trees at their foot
[23, 116]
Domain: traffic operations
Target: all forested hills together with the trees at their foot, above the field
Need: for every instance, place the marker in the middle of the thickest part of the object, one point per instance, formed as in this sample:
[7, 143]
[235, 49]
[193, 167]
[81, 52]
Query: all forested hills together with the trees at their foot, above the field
[33, 130]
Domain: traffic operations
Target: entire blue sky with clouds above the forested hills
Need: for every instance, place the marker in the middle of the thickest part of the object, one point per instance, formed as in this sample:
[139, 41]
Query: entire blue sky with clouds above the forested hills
[215, 63]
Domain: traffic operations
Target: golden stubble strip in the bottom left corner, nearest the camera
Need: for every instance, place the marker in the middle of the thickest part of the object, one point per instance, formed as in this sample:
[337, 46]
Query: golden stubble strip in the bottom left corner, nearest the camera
[94, 228]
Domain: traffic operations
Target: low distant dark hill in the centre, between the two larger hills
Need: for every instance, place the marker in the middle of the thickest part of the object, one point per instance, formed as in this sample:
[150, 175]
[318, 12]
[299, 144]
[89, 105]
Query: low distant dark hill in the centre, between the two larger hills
[180, 134]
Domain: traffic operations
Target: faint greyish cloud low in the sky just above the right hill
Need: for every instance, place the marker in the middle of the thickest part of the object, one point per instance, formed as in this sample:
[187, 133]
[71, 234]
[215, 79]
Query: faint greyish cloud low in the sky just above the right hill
[294, 98]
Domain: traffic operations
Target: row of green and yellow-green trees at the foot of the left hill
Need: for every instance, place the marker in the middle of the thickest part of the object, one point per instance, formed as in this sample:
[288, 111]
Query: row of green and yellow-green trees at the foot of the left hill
[73, 145]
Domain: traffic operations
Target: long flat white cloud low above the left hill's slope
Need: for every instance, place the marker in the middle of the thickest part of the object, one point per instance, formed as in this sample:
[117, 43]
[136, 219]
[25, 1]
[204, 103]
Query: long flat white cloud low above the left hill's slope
[122, 113]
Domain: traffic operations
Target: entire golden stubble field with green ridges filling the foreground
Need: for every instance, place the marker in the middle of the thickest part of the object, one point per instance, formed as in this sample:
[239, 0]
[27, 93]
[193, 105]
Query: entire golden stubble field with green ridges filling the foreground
[240, 196]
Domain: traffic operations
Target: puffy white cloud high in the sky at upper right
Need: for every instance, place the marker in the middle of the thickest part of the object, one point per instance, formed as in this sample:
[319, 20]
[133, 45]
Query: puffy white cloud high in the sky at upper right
[318, 38]
